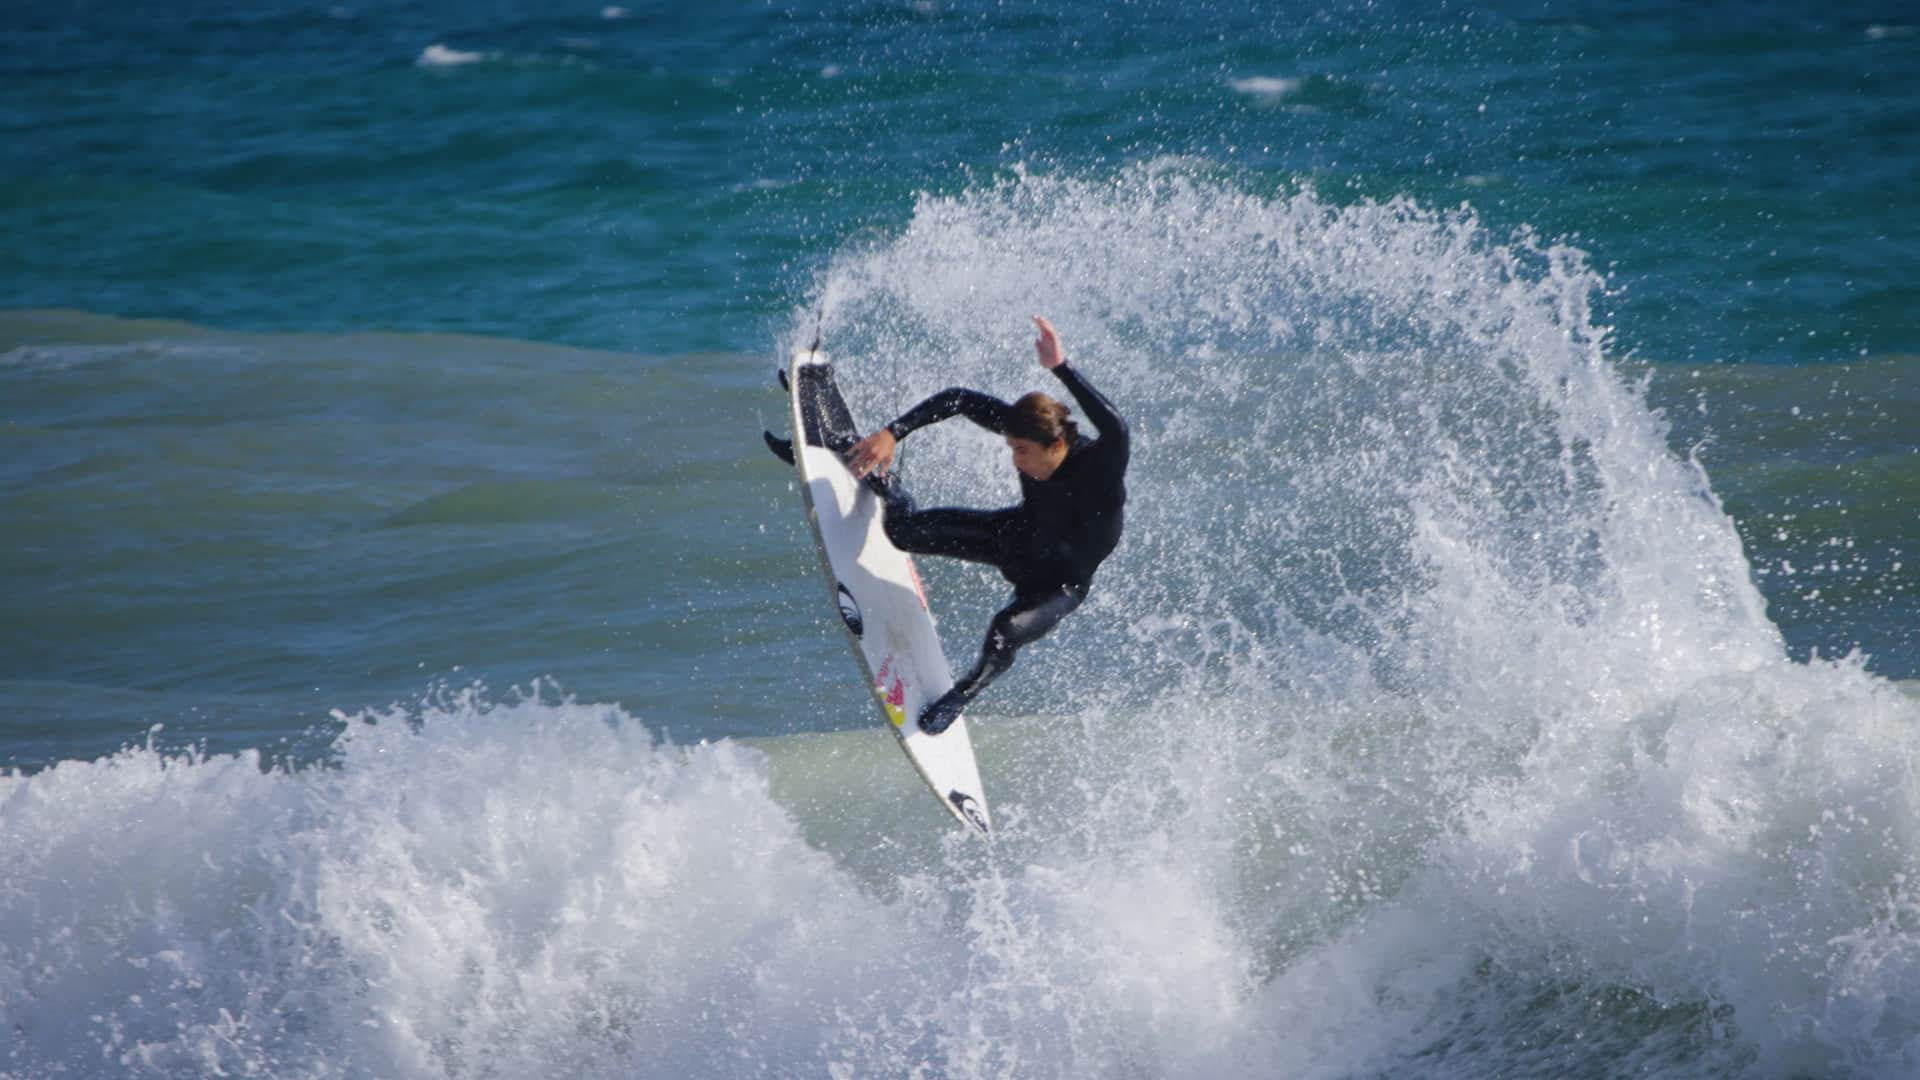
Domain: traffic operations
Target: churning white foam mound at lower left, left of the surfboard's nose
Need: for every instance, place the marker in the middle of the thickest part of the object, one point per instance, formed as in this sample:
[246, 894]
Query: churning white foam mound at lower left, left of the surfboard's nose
[475, 889]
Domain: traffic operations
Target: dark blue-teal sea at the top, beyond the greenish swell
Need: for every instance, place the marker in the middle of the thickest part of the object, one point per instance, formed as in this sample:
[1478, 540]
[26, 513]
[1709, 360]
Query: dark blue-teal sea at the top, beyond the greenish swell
[667, 178]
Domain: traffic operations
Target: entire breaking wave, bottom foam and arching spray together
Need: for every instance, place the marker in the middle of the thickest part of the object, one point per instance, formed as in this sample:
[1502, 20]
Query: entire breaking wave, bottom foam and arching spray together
[1428, 724]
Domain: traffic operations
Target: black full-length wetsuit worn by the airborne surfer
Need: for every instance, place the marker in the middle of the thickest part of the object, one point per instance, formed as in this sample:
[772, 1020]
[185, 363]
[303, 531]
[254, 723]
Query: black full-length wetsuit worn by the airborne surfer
[1047, 547]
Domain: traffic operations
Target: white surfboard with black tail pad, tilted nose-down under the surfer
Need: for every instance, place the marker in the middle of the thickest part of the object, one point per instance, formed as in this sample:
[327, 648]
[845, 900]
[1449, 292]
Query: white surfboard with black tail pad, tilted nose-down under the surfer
[878, 593]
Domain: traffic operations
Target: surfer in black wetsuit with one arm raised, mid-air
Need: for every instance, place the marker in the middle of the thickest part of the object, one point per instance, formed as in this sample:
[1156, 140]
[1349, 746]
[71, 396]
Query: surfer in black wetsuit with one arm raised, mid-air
[1072, 491]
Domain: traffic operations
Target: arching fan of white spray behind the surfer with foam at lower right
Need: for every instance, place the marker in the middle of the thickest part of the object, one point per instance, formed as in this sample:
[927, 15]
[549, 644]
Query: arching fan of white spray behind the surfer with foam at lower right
[1466, 689]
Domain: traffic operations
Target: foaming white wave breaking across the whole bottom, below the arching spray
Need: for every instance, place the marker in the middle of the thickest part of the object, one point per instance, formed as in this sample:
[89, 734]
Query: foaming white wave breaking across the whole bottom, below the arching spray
[542, 885]
